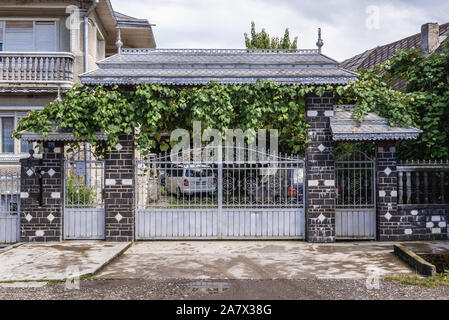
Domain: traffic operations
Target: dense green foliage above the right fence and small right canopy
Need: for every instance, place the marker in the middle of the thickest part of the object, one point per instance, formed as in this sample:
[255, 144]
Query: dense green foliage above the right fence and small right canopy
[421, 99]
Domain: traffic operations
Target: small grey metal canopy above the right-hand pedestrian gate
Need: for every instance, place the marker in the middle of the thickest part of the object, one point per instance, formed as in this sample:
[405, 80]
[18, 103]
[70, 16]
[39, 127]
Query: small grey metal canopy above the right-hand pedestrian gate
[345, 127]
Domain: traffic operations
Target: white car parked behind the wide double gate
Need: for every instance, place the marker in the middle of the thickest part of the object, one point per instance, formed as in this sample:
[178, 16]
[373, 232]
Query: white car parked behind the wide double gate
[190, 180]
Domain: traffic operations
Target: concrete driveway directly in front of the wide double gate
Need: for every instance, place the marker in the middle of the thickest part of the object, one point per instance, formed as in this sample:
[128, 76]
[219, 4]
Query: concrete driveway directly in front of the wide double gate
[255, 260]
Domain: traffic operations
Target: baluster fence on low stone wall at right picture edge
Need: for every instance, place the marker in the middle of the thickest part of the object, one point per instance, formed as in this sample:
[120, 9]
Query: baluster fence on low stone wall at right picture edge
[423, 182]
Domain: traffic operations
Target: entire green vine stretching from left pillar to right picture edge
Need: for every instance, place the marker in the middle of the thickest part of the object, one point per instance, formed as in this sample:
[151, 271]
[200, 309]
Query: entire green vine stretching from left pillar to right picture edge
[154, 109]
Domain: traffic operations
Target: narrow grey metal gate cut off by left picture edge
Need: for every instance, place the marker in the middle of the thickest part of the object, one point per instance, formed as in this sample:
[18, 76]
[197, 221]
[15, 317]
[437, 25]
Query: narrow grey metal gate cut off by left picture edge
[10, 205]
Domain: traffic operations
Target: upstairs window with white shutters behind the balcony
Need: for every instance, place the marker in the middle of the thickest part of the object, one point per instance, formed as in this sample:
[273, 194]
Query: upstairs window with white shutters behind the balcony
[26, 35]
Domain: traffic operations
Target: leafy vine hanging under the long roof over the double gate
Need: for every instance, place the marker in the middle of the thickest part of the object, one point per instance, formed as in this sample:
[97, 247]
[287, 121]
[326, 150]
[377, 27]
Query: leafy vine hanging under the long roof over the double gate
[156, 109]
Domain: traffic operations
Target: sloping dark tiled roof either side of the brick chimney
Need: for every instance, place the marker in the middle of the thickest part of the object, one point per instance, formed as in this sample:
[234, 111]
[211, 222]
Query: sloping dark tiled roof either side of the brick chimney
[380, 54]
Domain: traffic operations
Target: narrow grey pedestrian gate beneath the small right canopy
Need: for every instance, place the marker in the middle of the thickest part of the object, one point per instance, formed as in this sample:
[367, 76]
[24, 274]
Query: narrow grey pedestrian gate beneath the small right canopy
[356, 201]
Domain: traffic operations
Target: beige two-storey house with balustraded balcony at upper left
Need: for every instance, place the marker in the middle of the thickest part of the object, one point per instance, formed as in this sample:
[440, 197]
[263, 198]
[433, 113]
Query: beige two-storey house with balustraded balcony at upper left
[45, 45]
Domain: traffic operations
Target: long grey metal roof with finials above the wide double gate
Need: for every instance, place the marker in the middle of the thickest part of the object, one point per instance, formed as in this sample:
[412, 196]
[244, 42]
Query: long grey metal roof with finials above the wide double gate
[228, 66]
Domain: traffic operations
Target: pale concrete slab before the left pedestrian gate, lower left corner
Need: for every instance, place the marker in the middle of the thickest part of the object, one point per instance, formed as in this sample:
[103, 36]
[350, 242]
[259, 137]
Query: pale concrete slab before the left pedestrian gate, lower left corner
[57, 261]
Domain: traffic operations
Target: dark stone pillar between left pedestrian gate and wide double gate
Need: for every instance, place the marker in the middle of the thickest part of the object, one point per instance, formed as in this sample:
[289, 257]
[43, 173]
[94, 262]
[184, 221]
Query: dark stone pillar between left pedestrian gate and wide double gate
[119, 191]
